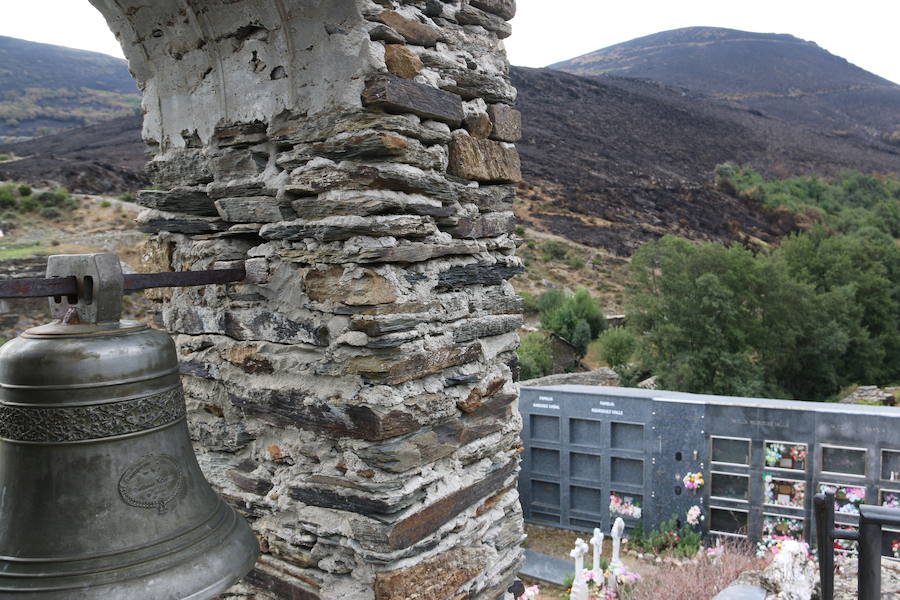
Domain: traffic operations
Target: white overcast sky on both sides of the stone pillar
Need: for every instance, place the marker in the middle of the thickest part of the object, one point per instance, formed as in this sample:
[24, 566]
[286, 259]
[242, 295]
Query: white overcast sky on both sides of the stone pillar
[865, 32]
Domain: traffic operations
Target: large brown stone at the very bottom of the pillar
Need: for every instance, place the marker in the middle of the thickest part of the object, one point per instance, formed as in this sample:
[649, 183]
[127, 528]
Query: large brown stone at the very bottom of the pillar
[457, 567]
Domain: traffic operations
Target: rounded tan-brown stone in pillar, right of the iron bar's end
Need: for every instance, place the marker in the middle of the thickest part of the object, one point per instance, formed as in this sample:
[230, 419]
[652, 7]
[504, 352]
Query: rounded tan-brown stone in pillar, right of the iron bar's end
[365, 289]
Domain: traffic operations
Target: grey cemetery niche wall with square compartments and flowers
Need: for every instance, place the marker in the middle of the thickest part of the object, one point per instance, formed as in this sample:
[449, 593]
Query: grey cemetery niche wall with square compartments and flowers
[593, 454]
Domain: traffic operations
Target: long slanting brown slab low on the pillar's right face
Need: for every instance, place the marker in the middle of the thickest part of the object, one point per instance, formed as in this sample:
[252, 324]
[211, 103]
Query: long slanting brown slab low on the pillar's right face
[417, 527]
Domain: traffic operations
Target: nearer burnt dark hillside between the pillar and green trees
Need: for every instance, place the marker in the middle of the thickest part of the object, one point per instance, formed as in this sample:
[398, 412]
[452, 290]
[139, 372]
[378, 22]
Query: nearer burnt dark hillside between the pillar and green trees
[612, 162]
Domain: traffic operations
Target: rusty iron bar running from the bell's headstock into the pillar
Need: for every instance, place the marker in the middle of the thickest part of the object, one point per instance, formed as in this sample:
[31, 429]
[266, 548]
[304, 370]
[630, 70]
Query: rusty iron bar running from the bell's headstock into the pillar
[68, 286]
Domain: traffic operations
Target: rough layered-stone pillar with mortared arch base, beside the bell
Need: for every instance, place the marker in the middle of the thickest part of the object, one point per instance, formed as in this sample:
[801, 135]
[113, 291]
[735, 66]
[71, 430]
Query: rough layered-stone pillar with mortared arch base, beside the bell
[356, 397]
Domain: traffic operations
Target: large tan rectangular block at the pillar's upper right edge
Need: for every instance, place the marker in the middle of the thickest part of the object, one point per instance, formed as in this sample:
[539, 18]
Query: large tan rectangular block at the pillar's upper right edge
[484, 160]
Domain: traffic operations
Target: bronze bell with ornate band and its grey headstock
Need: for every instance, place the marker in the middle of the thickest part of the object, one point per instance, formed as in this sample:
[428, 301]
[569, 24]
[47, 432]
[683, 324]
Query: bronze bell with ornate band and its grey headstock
[101, 496]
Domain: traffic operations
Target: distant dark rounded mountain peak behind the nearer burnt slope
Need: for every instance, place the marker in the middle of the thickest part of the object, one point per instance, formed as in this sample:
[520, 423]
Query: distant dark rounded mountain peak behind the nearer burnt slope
[776, 74]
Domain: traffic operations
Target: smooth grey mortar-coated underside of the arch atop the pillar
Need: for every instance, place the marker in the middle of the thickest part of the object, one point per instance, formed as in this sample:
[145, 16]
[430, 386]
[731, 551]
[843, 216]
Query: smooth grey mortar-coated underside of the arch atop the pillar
[204, 64]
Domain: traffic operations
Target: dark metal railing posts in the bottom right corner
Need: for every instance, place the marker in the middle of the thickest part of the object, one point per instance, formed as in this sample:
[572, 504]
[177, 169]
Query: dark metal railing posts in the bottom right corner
[869, 538]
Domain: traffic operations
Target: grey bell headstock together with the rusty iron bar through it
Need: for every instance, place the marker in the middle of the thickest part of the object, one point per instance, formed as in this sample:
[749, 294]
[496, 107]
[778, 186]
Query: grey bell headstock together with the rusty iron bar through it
[93, 285]
